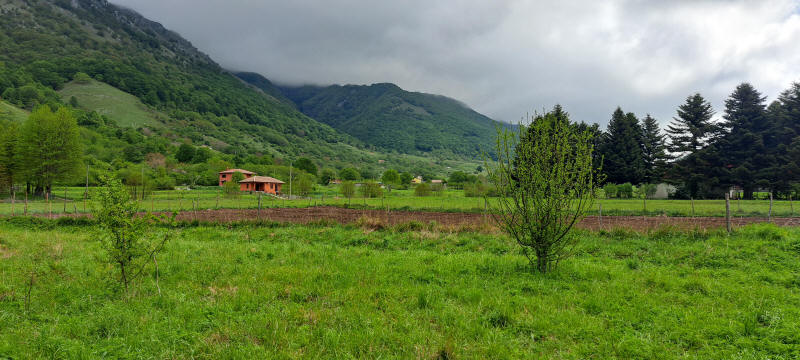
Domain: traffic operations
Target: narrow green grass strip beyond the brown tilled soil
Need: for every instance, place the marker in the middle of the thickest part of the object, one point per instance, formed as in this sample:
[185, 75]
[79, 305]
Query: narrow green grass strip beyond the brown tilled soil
[450, 201]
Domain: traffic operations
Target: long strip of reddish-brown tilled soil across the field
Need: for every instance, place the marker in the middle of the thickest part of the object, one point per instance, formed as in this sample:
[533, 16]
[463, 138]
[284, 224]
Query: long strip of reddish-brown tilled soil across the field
[347, 216]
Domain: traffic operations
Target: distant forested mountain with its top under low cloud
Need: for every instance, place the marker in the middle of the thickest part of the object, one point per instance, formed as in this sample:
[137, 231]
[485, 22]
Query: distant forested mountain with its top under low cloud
[392, 119]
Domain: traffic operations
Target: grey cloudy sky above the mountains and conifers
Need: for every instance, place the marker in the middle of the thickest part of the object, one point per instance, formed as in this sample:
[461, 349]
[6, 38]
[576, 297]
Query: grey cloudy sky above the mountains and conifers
[506, 58]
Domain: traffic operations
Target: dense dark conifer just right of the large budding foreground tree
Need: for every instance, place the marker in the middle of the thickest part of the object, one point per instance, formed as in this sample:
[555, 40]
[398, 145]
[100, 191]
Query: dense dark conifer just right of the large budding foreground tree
[622, 149]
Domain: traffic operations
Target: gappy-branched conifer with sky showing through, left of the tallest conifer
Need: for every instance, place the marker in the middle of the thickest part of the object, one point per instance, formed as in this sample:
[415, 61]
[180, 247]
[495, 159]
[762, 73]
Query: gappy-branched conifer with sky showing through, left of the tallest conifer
[689, 133]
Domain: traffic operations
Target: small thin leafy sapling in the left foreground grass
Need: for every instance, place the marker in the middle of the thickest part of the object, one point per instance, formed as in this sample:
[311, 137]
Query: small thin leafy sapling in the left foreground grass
[128, 239]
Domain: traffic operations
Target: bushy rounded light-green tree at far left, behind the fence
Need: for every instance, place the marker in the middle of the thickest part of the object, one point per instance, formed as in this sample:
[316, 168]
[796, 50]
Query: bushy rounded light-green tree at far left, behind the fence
[51, 147]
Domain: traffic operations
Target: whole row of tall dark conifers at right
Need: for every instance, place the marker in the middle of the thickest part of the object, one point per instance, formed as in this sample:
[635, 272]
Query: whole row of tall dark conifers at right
[755, 146]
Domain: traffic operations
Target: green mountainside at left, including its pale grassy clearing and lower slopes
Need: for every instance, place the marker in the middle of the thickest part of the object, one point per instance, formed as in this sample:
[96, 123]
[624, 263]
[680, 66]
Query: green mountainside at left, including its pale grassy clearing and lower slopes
[146, 75]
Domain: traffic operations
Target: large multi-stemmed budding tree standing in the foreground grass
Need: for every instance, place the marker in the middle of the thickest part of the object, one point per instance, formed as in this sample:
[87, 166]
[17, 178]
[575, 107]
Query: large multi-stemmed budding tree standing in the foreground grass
[545, 183]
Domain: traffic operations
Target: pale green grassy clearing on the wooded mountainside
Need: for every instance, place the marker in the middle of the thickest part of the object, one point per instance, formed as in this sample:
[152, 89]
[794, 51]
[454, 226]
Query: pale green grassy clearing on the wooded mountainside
[107, 100]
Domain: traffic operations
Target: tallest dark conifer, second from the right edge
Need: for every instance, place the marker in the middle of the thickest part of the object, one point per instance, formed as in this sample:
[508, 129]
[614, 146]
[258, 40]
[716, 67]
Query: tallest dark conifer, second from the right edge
[745, 127]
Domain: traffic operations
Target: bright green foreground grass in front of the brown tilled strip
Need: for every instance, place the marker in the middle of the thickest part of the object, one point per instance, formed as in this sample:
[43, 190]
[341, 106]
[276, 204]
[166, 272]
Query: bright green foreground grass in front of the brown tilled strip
[345, 292]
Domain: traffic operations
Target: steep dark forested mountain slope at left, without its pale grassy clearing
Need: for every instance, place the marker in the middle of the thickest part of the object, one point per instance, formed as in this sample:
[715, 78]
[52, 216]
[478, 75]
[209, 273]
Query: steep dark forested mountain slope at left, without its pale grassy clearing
[45, 44]
